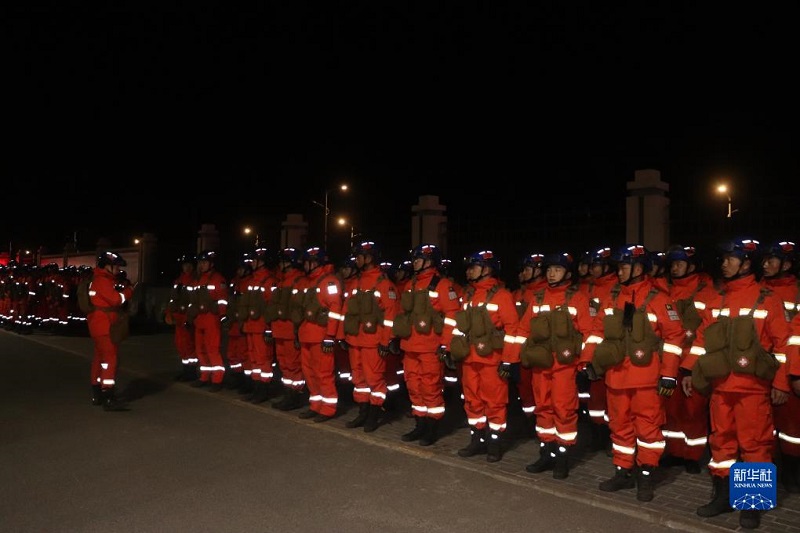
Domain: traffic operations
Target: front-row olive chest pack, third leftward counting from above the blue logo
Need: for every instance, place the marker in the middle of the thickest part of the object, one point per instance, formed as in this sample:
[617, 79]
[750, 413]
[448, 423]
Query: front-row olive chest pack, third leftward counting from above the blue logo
[552, 332]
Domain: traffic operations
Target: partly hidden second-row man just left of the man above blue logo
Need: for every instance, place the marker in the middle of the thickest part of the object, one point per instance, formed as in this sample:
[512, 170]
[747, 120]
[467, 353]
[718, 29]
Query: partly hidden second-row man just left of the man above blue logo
[686, 430]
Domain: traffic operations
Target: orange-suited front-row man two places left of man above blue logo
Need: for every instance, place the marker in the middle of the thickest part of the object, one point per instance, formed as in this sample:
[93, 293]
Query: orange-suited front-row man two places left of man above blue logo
[555, 337]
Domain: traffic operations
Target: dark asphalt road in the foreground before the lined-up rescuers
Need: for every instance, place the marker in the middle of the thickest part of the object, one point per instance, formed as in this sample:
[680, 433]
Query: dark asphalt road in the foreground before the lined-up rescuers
[183, 459]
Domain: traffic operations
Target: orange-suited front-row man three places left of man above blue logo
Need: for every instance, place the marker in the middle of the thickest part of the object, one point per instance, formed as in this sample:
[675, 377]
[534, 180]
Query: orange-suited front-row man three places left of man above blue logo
[484, 344]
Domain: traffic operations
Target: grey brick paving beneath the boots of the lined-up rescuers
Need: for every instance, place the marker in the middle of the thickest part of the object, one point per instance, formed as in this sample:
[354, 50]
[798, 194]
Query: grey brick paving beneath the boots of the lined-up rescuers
[678, 494]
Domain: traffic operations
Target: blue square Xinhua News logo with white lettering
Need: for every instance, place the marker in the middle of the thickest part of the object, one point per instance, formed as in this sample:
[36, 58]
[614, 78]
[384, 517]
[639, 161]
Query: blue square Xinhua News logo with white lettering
[753, 486]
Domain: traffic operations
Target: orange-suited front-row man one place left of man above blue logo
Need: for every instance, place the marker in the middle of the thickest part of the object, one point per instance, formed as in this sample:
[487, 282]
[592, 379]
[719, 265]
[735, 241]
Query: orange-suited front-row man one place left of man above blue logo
[639, 355]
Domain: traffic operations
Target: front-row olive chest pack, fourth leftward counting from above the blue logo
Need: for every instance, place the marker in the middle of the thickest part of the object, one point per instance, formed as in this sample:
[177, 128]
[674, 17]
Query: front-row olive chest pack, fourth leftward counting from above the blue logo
[478, 329]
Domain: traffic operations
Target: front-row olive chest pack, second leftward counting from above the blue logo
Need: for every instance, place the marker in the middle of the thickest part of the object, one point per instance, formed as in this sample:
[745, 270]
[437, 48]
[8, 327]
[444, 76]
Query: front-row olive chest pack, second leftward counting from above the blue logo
[627, 333]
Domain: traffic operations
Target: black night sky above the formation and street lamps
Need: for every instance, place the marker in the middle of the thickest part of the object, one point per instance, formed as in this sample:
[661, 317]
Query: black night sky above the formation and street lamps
[125, 118]
